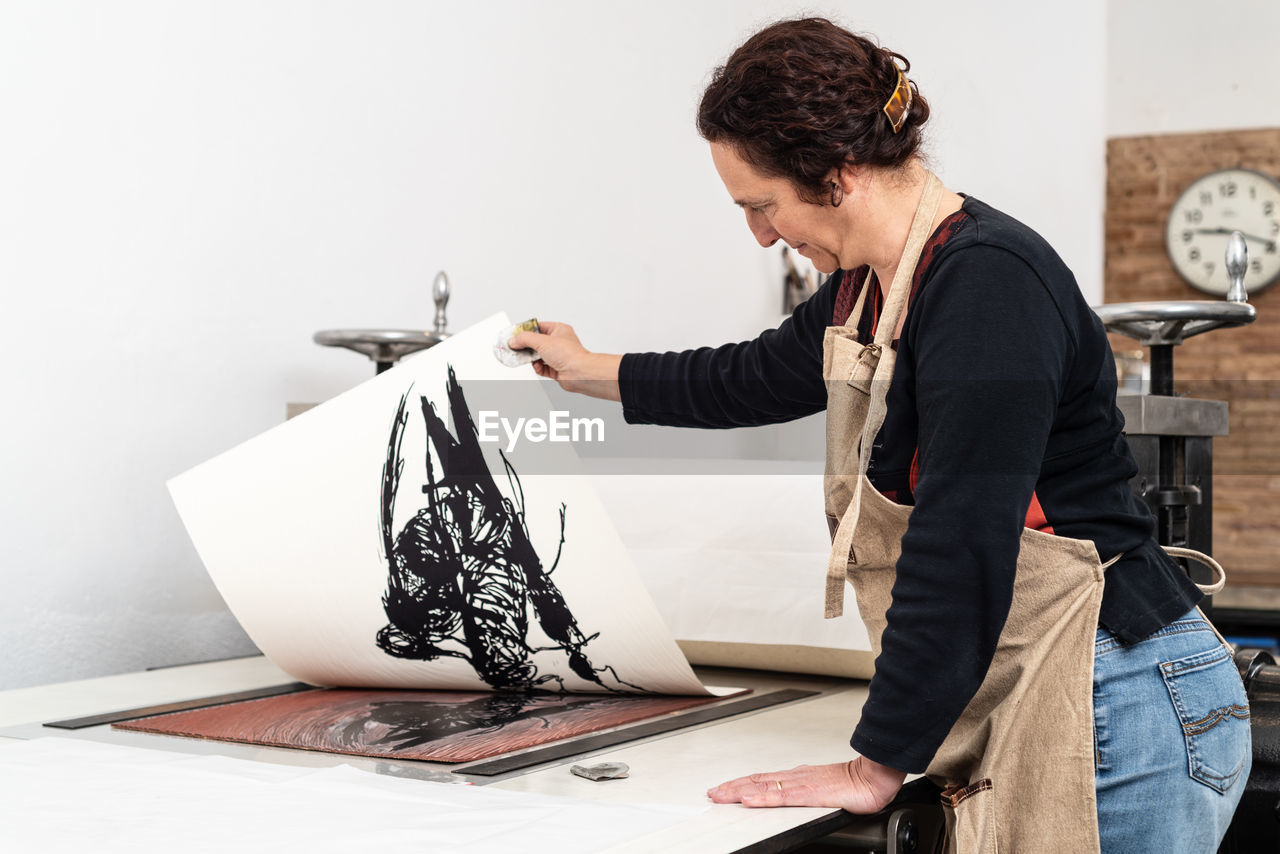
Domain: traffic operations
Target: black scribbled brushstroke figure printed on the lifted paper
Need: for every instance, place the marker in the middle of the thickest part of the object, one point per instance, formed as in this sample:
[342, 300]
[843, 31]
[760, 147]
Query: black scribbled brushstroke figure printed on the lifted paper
[464, 572]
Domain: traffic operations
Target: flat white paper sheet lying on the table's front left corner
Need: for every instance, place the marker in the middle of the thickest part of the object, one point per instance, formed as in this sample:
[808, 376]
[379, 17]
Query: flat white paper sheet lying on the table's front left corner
[75, 796]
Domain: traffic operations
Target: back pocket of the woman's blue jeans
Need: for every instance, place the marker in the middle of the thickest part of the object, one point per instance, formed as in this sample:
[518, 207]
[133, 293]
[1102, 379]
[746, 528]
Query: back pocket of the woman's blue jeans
[1214, 711]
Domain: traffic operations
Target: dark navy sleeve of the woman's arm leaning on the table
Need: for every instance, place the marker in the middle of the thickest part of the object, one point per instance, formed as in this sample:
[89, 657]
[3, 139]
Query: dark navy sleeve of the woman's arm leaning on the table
[990, 353]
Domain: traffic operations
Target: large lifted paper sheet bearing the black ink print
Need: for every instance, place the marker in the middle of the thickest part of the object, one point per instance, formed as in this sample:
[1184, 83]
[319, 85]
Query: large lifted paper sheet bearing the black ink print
[377, 542]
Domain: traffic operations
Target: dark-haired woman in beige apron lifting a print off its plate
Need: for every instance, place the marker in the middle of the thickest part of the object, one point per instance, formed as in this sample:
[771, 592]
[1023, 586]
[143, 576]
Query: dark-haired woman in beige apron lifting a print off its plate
[977, 479]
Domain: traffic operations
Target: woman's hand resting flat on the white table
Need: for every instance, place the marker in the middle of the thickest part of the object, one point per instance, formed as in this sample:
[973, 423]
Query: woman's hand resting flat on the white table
[860, 787]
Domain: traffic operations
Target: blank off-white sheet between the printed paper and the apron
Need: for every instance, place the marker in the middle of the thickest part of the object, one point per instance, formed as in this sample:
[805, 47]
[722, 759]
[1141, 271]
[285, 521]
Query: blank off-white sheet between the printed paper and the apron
[735, 554]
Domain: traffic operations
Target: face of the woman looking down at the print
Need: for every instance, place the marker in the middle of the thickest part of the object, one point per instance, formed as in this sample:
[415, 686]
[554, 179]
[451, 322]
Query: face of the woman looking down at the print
[776, 212]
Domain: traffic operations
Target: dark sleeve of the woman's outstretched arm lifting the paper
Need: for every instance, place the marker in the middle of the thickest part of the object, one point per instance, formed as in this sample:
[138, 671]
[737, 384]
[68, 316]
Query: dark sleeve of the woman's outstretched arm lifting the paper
[776, 377]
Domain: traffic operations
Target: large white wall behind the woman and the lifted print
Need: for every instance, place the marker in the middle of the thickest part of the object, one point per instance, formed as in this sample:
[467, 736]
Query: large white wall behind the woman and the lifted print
[190, 190]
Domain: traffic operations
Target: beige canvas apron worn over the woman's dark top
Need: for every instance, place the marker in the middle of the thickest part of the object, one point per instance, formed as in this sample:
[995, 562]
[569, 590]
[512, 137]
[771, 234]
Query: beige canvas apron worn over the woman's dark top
[1017, 769]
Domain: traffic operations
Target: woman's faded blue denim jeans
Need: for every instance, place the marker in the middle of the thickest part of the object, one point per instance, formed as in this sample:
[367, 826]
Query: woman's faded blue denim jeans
[1173, 748]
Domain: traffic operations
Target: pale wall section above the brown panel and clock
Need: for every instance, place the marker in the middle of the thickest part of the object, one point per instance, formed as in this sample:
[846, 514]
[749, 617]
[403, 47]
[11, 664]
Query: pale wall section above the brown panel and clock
[1180, 67]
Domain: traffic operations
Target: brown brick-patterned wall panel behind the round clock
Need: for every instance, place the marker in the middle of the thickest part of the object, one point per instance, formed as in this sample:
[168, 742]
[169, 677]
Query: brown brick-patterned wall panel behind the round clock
[1242, 367]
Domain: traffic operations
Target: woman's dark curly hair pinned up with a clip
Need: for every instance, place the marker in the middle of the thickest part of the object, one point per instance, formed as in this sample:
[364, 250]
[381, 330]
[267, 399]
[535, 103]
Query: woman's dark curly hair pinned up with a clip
[803, 98]
